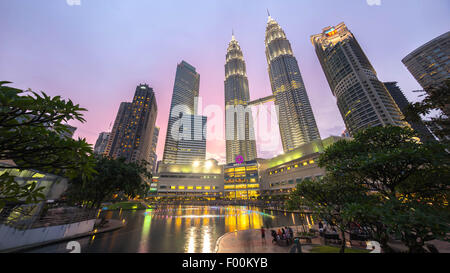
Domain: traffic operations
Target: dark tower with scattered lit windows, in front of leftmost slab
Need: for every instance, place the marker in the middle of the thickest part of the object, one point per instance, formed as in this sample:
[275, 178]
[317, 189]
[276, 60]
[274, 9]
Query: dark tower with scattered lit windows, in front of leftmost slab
[136, 142]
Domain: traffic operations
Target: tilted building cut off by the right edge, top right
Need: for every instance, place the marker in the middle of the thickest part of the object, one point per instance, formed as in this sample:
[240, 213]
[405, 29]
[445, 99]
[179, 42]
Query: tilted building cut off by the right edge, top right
[430, 63]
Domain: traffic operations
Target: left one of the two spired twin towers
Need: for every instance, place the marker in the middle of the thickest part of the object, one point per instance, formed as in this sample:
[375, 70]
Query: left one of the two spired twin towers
[240, 137]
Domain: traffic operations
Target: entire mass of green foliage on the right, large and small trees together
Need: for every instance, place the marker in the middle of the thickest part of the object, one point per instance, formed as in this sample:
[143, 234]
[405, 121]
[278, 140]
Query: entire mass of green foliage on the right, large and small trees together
[398, 186]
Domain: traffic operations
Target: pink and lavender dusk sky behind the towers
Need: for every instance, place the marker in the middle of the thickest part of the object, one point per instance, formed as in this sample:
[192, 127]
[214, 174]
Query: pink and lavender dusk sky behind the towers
[96, 53]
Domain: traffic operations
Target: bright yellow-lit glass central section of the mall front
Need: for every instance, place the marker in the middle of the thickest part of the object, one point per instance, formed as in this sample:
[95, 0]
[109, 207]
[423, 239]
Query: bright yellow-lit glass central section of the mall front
[241, 181]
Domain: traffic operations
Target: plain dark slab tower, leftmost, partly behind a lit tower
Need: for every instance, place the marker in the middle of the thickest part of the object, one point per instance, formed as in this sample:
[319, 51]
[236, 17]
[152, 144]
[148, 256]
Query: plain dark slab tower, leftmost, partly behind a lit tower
[112, 148]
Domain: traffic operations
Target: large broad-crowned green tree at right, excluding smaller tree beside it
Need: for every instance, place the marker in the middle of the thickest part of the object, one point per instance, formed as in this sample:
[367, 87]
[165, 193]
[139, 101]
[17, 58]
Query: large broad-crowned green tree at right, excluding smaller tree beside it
[406, 177]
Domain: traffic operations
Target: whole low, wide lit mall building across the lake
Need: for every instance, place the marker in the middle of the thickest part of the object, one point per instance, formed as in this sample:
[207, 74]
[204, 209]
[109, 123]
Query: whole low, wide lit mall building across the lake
[251, 180]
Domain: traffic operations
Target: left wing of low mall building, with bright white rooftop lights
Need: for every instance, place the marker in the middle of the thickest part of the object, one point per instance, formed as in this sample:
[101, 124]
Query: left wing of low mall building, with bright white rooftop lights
[190, 181]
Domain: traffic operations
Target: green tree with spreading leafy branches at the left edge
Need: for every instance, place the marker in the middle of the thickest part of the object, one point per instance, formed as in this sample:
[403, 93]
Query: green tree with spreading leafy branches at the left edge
[32, 128]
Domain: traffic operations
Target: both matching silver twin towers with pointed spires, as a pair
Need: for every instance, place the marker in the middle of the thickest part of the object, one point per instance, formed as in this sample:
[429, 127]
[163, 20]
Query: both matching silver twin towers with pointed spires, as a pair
[295, 117]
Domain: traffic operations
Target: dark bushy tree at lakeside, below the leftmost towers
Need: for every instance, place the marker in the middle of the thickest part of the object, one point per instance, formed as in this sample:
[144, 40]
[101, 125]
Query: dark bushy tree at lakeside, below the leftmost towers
[112, 176]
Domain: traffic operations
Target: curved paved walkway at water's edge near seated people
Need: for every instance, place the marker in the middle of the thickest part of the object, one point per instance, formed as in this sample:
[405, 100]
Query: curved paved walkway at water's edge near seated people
[249, 241]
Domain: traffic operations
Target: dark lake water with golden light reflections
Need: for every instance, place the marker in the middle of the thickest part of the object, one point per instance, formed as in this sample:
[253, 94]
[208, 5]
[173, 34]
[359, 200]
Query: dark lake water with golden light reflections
[188, 229]
